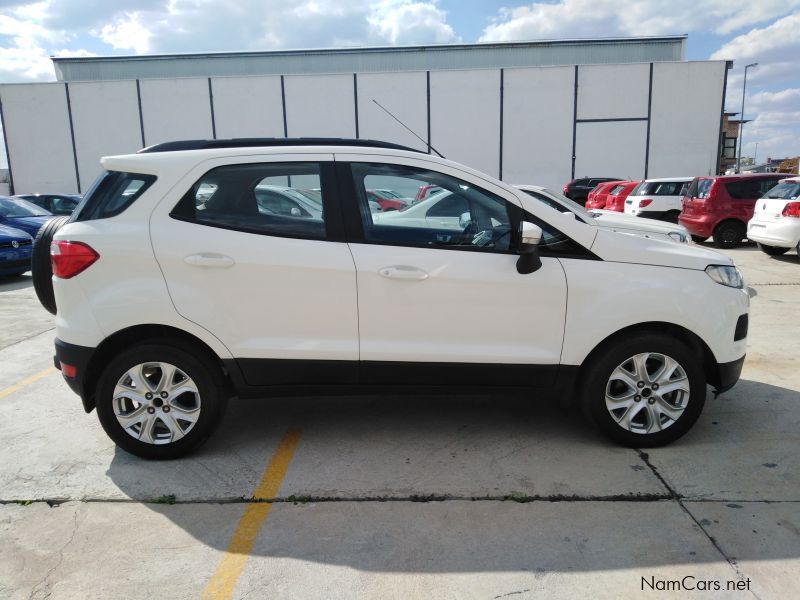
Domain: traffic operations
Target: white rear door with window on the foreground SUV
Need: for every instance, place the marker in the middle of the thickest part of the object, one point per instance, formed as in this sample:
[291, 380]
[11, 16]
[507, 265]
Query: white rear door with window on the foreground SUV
[279, 290]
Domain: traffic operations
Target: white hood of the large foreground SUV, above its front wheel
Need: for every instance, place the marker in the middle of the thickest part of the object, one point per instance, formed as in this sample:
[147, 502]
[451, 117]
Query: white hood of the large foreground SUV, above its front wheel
[617, 247]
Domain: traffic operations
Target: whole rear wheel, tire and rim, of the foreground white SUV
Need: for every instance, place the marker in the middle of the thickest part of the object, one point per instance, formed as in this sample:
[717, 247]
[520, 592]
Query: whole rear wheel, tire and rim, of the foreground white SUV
[160, 401]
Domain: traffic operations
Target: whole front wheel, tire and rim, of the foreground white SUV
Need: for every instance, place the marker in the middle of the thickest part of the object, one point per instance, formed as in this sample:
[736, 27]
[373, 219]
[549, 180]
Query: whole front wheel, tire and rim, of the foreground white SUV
[645, 390]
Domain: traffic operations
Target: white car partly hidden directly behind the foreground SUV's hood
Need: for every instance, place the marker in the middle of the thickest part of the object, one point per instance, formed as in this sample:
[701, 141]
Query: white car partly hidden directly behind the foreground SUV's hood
[610, 219]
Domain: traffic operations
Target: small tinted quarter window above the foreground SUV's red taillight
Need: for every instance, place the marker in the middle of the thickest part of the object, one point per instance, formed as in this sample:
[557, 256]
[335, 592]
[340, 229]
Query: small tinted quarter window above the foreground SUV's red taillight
[111, 194]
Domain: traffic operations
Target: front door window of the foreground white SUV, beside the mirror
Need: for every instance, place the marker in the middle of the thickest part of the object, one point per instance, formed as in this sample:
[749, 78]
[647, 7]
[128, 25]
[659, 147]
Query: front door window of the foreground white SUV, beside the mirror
[457, 215]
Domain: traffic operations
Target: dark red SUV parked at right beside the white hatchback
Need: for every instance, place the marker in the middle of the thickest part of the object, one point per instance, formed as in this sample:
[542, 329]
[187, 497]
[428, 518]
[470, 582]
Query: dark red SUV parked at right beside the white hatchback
[721, 206]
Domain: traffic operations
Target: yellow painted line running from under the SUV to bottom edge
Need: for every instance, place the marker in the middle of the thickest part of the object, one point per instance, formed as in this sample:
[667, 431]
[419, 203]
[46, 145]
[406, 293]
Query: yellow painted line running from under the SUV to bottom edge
[230, 566]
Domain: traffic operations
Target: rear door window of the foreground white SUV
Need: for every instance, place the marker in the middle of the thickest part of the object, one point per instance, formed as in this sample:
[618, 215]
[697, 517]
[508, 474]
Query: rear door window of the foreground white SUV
[279, 199]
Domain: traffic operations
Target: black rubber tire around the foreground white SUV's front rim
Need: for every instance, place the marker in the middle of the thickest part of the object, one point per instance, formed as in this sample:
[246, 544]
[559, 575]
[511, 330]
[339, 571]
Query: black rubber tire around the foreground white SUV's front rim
[598, 377]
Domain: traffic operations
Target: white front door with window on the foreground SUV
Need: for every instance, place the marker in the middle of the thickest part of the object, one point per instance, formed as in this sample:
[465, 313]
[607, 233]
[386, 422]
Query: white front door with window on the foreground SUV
[447, 306]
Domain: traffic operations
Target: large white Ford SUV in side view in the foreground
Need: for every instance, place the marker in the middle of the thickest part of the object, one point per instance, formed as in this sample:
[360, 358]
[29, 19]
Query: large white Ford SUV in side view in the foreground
[176, 290]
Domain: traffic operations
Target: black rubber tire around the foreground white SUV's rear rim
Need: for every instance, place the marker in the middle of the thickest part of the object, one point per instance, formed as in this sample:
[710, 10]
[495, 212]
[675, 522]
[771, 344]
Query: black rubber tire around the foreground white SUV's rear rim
[206, 375]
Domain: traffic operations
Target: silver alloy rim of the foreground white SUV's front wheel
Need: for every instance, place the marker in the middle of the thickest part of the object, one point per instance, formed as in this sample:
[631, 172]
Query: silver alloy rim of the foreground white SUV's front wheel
[647, 393]
